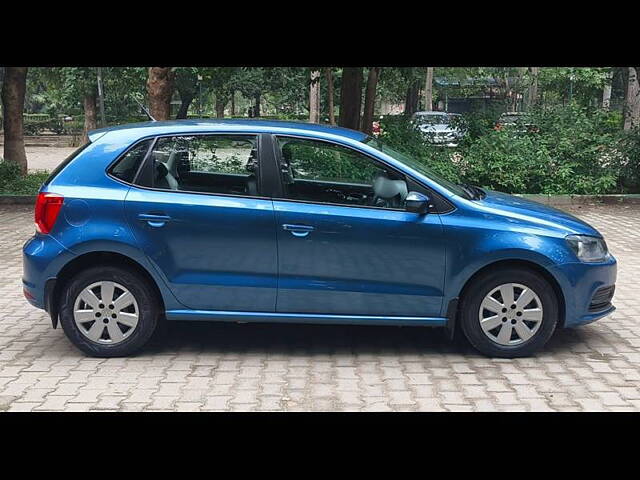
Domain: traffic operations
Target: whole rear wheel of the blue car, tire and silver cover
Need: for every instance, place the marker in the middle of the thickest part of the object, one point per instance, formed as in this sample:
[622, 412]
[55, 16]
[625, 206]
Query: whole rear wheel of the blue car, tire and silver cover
[136, 317]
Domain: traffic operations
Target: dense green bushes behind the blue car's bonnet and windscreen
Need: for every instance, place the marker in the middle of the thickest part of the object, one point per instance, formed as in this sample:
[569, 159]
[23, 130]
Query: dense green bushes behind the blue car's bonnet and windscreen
[575, 151]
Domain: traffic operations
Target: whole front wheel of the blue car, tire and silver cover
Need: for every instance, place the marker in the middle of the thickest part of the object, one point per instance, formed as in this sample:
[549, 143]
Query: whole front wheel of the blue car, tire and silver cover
[509, 338]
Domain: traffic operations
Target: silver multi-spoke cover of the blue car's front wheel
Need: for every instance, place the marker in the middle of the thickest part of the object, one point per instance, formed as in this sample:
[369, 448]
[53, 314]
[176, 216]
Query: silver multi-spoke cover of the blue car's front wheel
[510, 314]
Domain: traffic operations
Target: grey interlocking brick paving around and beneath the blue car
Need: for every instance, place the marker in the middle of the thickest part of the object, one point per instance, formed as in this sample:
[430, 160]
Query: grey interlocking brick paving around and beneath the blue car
[204, 366]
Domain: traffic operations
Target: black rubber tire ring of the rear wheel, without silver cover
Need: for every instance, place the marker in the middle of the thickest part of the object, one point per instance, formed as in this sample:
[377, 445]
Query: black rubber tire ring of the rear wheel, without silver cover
[139, 288]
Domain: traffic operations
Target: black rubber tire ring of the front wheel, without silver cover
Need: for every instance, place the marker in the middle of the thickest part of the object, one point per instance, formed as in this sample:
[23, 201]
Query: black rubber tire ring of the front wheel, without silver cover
[482, 286]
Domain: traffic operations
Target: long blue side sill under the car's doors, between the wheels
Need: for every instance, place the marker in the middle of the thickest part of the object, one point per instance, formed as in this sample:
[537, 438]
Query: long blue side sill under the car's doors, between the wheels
[229, 316]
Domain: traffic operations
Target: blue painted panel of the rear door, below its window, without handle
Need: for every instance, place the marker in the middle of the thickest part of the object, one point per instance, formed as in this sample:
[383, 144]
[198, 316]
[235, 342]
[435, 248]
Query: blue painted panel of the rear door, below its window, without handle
[215, 250]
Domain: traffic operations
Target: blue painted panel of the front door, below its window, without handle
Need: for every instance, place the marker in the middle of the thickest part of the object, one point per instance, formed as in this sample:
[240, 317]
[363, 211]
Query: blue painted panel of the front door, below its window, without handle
[362, 261]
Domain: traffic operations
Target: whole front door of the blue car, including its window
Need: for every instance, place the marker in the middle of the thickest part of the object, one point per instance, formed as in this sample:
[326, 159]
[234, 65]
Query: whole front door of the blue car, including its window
[345, 243]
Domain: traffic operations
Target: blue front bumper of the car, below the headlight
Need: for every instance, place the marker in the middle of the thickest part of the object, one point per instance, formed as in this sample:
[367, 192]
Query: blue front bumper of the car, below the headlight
[587, 289]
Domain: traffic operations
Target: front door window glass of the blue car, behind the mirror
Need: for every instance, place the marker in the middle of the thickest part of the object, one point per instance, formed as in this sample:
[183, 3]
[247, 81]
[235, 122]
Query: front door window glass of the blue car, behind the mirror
[324, 172]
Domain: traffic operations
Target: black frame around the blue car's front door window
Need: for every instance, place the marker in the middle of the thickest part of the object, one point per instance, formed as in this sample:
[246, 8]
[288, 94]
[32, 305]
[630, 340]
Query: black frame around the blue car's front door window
[385, 166]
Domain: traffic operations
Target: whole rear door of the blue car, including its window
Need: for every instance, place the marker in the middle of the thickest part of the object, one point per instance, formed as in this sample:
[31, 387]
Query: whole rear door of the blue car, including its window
[200, 217]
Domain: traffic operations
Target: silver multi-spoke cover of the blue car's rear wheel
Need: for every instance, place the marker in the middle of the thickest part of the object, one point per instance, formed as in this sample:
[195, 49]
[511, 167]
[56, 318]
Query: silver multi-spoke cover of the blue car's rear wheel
[106, 312]
